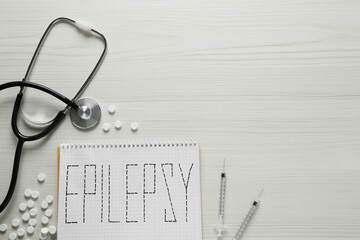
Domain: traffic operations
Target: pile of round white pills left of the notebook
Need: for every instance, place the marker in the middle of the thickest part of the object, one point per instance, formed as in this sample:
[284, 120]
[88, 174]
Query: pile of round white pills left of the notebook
[28, 216]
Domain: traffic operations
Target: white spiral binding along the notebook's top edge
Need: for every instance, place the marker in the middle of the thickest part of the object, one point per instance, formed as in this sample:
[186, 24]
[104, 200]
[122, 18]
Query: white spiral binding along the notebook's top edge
[130, 144]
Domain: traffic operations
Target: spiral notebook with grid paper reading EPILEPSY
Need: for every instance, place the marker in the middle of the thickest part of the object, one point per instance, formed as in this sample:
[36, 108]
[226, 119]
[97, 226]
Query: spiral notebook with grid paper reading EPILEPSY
[129, 190]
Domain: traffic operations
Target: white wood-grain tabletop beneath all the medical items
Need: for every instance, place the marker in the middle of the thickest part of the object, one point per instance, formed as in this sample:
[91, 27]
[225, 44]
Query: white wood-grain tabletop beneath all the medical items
[272, 86]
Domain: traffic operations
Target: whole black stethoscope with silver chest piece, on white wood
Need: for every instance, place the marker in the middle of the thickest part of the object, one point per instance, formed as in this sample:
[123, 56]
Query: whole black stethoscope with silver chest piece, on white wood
[84, 113]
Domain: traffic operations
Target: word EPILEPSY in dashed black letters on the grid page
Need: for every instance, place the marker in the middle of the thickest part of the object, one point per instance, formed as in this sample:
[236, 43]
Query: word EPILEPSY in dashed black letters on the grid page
[149, 187]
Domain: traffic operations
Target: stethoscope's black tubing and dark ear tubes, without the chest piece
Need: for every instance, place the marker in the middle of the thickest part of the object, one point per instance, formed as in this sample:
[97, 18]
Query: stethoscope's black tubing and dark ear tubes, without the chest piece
[60, 115]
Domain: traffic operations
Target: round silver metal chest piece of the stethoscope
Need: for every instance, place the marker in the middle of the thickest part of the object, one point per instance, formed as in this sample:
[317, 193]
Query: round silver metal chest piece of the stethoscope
[87, 116]
